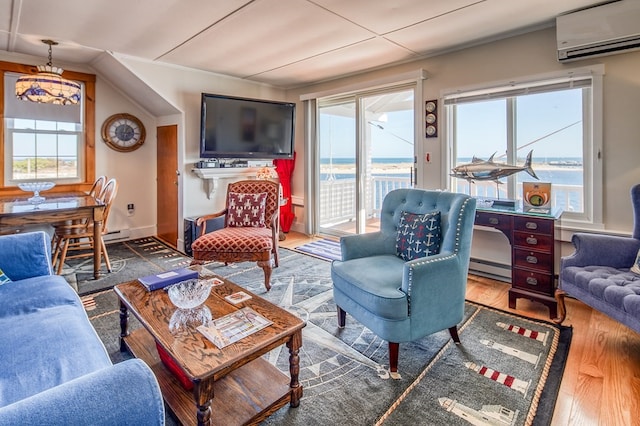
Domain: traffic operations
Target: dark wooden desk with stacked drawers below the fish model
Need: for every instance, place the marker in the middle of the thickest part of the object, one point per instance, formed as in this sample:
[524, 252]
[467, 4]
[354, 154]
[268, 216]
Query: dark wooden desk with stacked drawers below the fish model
[532, 240]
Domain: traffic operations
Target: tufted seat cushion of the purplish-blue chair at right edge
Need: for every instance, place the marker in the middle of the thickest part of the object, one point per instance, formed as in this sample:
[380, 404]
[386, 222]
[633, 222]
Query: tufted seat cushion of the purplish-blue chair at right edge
[620, 288]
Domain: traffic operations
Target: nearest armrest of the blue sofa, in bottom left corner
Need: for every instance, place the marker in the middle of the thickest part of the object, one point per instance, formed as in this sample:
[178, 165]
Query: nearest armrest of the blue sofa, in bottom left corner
[124, 394]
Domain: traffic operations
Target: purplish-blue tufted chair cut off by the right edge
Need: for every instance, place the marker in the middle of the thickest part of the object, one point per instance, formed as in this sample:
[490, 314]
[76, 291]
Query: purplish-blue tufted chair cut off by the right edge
[599, 273]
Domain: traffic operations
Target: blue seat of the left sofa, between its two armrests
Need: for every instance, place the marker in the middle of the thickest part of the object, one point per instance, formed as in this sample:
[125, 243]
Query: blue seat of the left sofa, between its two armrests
[46, 338]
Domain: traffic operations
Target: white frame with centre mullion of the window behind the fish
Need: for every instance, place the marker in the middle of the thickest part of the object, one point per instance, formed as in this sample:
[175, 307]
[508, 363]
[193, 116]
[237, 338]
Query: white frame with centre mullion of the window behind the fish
[592, 134]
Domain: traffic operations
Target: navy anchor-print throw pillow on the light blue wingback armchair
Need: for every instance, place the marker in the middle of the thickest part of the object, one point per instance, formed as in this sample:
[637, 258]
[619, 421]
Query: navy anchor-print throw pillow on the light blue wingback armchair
[419, 235]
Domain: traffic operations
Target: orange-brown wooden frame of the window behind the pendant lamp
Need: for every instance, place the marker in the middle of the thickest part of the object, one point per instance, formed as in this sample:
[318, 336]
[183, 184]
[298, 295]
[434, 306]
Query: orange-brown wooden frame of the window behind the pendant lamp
[88, 150]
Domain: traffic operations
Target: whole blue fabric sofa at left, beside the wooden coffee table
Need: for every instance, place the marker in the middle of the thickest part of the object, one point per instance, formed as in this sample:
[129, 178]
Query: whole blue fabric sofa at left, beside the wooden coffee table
[54, 369]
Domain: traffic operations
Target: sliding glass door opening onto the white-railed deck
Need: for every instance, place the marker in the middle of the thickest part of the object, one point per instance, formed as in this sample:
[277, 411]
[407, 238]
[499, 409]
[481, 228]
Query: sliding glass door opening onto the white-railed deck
[366, 149]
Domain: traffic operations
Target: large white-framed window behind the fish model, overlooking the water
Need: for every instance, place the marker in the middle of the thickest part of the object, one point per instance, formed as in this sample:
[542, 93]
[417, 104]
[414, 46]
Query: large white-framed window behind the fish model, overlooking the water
[552, 119]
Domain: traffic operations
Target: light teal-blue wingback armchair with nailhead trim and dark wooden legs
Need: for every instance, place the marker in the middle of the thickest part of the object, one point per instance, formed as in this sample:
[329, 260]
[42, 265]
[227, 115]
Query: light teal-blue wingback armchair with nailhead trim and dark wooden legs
[404, 300]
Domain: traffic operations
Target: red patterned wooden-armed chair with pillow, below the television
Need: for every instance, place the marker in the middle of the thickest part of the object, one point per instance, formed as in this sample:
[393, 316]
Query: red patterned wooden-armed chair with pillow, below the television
[244, 237]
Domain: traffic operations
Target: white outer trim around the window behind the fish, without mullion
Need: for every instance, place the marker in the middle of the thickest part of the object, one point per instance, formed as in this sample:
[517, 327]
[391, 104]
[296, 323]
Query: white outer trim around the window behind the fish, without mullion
[592, 154]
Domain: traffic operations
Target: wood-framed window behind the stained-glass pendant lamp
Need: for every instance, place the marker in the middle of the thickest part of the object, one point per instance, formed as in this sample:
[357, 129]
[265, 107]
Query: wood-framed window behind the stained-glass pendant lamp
[47, 142]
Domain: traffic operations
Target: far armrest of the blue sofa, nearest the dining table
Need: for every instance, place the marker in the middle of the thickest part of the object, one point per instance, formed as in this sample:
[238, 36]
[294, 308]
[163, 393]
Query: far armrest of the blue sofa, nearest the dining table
[25, 255]
